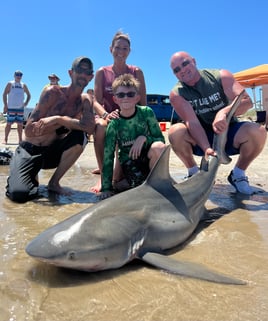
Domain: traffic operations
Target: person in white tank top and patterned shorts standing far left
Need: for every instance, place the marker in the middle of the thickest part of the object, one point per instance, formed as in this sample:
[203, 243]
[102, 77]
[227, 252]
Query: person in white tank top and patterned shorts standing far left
[13, 99]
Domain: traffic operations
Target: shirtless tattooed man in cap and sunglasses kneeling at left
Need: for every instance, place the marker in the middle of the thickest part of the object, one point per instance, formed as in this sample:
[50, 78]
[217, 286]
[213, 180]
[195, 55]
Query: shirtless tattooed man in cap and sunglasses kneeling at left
[55, 135]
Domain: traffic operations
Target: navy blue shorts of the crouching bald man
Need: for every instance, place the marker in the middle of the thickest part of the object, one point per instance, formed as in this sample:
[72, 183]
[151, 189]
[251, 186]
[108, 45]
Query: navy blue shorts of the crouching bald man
[229, 148]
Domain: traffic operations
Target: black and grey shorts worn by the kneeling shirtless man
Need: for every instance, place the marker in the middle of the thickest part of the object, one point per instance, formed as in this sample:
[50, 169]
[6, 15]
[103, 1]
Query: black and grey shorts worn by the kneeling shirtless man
[29, 159]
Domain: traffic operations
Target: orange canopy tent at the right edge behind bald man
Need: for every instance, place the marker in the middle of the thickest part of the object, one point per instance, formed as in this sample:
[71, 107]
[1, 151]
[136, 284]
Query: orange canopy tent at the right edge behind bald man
[253, 77]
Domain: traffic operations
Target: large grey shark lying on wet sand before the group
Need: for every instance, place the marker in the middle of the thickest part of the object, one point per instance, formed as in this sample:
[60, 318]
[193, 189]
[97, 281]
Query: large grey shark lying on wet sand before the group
[140, 223]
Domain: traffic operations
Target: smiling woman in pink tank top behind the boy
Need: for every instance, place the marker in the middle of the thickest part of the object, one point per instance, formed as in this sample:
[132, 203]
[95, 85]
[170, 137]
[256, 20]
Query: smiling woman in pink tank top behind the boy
[107, 108]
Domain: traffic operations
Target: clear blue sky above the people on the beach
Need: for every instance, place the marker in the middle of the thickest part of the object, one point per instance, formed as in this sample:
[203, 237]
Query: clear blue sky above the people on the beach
[43, 37]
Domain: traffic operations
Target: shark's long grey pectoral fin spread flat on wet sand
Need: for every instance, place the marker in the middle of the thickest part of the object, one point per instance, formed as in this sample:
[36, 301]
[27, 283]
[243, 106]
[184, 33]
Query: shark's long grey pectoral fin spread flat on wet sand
[188, 269]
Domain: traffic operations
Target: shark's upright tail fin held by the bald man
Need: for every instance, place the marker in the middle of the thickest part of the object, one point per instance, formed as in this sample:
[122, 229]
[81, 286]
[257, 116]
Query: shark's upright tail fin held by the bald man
[219, 141]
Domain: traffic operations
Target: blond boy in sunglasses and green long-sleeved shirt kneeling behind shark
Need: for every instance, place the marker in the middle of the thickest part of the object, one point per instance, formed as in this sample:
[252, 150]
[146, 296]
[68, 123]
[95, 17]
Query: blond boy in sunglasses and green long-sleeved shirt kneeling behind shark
[137, 134]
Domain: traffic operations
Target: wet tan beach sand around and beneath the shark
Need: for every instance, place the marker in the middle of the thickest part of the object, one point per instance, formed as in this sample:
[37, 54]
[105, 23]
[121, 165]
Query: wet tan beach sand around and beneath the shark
[233, 241]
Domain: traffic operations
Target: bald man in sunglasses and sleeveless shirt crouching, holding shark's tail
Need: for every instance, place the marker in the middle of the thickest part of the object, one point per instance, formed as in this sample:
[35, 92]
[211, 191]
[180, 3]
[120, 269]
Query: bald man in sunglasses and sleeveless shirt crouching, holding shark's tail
[202, 99]
